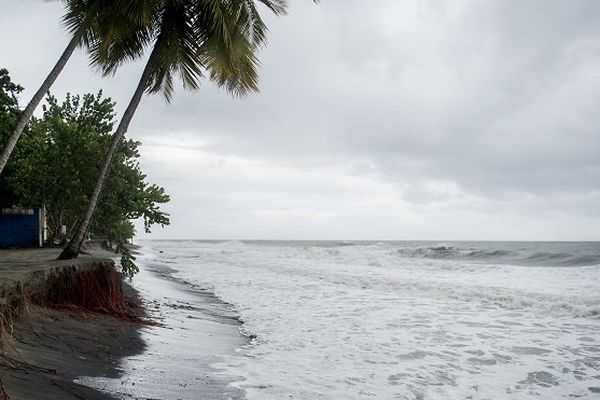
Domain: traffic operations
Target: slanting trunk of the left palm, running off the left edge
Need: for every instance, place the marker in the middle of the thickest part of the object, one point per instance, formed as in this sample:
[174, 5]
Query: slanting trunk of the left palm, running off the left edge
[35, 101]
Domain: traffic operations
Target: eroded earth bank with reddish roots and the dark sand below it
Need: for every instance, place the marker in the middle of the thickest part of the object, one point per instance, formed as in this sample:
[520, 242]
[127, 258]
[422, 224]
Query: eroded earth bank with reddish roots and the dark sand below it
[53, 330]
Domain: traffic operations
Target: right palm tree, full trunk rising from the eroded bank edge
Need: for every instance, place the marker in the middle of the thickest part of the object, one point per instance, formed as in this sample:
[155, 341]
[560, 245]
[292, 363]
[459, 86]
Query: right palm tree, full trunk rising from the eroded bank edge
[192, 38]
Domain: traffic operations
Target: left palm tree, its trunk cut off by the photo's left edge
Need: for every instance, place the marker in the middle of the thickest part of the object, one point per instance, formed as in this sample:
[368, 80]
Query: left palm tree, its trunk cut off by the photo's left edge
[93, 24]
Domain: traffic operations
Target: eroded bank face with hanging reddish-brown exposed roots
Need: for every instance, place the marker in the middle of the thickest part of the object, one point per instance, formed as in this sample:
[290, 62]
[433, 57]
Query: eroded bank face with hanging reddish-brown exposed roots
[80, 289]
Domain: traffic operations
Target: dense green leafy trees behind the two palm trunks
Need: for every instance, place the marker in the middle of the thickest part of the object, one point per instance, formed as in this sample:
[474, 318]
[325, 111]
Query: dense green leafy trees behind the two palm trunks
[58, 160]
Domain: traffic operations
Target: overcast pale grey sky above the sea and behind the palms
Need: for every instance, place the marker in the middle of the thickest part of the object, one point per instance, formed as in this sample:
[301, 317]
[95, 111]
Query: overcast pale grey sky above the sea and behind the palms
[377, 119]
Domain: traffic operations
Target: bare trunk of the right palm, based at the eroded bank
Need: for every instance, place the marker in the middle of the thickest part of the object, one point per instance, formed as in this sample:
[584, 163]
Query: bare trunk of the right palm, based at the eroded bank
[74, 246]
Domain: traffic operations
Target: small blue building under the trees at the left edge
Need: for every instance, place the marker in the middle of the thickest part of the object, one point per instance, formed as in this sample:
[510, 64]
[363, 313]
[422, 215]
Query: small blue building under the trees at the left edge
[22, 227]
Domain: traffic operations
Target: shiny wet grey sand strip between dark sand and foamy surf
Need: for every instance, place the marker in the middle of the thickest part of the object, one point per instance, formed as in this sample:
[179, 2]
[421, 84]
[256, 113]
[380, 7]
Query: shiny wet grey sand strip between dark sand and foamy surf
[195, 328]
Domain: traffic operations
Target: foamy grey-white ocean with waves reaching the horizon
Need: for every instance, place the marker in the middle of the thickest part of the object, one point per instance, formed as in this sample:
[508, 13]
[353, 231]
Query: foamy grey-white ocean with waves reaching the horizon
[401, 320]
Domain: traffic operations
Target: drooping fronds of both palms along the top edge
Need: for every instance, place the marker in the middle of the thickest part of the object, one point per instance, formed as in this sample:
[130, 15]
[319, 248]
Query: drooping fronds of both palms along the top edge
[193, 39]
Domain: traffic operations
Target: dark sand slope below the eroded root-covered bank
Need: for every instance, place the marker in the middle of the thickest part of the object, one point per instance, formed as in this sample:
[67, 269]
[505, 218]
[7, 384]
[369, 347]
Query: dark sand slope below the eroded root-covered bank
[47, 349]
